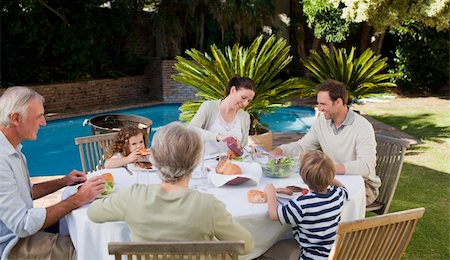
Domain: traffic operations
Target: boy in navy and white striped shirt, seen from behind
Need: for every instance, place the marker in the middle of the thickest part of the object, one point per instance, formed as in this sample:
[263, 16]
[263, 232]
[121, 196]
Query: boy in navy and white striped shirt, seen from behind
[314, 217]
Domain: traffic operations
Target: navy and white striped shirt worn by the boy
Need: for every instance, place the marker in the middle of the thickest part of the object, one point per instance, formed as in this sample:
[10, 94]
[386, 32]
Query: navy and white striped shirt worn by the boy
[314, 219]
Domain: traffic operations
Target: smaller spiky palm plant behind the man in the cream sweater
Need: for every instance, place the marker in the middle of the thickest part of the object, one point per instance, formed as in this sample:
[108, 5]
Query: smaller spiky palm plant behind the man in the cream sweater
[361, 75]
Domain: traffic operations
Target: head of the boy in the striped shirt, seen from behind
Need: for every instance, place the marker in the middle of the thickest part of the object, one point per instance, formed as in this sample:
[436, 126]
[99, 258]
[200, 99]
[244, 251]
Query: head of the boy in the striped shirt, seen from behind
[317, 170]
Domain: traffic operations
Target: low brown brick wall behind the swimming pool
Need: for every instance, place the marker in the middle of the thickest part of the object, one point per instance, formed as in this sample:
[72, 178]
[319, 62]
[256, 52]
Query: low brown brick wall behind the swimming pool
[155, 85]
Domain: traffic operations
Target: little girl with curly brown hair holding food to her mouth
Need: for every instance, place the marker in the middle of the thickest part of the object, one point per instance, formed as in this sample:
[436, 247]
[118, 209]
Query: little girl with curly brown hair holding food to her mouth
[129, 146]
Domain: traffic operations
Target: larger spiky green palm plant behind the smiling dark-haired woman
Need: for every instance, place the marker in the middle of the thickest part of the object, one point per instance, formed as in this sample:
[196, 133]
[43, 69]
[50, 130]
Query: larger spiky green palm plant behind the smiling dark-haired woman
[261, 62]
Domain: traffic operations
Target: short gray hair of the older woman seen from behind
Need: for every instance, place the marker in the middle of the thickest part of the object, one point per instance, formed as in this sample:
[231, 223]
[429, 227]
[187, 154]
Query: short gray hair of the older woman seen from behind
[176, 151]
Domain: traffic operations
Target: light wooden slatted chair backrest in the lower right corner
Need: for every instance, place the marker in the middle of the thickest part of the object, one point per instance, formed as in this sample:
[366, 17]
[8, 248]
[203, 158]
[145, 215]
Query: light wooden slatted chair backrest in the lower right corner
[379, 237]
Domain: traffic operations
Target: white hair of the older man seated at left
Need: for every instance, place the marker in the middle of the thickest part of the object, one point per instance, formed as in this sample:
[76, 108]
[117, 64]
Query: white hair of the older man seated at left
[16, 100]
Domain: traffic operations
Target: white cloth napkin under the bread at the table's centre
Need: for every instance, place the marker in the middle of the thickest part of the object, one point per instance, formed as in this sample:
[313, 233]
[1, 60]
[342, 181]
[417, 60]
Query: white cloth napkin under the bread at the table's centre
[250, 170]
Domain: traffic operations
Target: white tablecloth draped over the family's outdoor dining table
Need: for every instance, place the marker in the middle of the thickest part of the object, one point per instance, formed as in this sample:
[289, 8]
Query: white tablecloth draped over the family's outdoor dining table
[91, 239]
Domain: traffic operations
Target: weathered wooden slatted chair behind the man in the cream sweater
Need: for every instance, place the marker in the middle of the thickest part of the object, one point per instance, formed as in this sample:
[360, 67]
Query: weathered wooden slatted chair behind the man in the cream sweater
[390, 155]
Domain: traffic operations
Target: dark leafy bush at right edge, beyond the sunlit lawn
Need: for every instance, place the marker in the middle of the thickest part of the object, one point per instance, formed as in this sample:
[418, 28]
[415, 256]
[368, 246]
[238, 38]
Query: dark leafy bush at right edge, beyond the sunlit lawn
[420, 58]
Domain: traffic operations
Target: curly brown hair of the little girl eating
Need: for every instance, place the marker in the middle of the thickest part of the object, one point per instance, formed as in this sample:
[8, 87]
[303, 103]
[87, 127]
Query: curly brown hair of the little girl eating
[121, 143]
